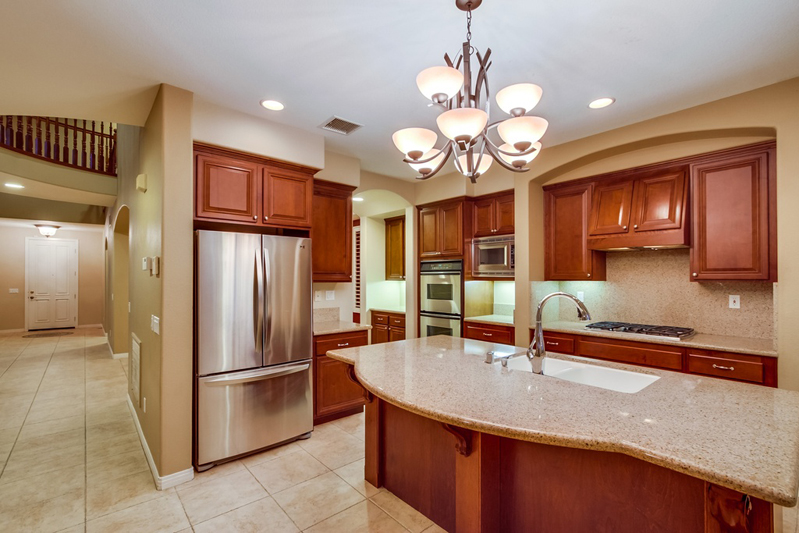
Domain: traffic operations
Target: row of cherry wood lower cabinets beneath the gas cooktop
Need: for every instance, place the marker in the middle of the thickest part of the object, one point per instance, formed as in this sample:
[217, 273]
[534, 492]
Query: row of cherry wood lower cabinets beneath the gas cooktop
[756, 369]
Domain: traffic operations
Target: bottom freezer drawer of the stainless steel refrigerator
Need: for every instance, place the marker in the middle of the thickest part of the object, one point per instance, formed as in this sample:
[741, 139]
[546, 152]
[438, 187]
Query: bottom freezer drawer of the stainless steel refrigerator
[245, 411]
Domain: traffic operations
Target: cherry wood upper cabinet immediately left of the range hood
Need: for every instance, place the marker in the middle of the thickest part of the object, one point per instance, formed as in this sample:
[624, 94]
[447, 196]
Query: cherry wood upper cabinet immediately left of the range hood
[566, 254]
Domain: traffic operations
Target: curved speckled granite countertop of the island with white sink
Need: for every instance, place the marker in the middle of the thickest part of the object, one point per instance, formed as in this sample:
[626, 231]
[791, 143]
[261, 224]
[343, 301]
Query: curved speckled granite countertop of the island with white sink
[741, 436]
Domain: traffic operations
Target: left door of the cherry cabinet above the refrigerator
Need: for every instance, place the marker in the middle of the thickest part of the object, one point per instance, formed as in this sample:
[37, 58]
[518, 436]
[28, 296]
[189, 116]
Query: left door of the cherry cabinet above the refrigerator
[226, 189]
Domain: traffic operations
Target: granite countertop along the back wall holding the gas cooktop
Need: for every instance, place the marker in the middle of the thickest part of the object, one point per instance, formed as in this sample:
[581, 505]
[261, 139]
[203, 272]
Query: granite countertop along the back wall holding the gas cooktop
[721, 343]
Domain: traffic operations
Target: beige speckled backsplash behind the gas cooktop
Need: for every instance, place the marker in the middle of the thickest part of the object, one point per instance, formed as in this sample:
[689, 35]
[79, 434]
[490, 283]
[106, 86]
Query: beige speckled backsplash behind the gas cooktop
[653, 287]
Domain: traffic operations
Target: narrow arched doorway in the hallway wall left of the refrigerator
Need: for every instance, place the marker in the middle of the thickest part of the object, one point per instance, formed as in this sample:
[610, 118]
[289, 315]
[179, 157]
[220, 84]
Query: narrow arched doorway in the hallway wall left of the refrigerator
[120, 272]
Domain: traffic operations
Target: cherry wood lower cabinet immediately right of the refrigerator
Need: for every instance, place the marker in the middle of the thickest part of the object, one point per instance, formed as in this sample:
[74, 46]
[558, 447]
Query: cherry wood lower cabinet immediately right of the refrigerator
[335, 394]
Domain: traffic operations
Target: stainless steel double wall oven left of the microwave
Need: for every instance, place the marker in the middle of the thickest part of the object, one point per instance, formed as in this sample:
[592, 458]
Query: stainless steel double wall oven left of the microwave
[440, 286]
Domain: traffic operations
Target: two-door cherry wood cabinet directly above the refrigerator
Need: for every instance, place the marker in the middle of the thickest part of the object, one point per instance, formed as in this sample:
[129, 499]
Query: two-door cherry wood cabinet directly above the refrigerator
[239, 188]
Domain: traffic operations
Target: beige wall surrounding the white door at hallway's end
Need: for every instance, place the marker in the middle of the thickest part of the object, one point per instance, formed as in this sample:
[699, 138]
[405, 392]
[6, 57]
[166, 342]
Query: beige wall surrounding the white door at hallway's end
[91, 278]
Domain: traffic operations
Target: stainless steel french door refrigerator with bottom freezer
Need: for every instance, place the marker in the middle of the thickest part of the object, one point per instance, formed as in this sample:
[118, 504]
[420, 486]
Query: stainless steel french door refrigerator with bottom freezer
[253, 343]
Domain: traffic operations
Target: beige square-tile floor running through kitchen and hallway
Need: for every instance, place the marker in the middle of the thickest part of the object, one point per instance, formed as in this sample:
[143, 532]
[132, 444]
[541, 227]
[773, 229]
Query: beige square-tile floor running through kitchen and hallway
[70, 460]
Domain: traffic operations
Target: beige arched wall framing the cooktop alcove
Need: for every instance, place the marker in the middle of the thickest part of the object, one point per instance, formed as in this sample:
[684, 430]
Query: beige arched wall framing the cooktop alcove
[728, 122]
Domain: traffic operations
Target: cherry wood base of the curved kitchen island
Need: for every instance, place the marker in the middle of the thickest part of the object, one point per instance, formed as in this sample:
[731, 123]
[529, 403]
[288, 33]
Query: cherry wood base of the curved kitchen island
[467, 481]
